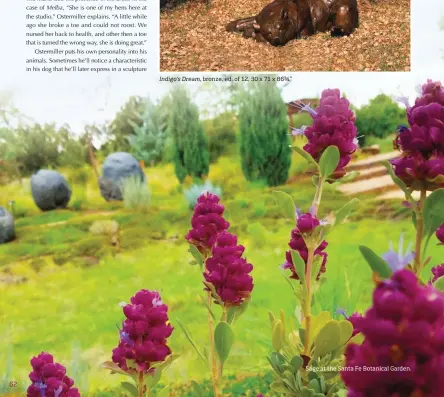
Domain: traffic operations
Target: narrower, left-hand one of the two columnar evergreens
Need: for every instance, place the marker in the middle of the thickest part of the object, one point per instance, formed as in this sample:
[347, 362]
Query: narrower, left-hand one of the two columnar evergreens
[191, 157]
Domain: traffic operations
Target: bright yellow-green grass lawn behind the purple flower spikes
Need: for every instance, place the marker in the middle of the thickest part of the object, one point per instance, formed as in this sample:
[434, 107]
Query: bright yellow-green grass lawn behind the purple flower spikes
[68, 283]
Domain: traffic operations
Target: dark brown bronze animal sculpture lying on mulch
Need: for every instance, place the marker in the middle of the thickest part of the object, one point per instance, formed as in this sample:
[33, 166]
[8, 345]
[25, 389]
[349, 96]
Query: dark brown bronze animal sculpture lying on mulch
[284, 20]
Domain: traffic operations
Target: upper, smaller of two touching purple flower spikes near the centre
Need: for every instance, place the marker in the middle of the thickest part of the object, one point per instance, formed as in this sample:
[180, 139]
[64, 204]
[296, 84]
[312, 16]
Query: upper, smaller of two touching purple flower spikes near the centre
[207, 222]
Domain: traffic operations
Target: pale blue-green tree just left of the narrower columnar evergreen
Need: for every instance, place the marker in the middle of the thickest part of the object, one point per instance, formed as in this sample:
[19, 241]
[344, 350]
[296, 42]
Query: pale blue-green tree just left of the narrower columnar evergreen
[148, 141]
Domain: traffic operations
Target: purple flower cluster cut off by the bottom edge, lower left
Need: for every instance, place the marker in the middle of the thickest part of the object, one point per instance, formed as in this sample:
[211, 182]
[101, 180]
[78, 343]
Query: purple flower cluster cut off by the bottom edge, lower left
[49, 379]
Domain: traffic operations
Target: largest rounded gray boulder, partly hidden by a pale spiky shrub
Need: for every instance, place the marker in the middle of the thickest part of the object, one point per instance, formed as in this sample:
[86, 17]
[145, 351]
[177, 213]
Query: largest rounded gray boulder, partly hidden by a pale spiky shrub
[116, 168]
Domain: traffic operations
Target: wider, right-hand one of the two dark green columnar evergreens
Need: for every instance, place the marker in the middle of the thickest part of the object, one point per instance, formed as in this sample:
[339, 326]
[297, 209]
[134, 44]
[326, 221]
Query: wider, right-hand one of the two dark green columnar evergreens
[264, 134]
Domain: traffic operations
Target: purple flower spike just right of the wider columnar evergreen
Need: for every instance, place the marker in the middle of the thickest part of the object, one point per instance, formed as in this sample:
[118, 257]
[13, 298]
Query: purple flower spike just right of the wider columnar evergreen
[333, 125]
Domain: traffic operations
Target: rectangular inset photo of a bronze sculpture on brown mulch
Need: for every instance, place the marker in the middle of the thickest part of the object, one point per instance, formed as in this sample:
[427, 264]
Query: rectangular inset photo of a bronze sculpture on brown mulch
[284, 35]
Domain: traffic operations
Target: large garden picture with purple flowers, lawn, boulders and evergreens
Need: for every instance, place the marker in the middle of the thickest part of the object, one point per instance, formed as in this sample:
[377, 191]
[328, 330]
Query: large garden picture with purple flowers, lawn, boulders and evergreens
[257, 247]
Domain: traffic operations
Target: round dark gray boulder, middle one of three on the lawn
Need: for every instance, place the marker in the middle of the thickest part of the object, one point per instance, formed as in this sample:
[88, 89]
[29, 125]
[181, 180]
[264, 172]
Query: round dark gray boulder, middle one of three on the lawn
[50, 190]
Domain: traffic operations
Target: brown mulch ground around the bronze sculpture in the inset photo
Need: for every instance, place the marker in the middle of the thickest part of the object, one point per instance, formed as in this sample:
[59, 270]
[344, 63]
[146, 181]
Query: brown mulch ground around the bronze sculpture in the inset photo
[193, 38]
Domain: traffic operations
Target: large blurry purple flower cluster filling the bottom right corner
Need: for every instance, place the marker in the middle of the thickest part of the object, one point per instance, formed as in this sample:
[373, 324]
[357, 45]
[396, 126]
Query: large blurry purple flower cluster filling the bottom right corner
[404, 331]
